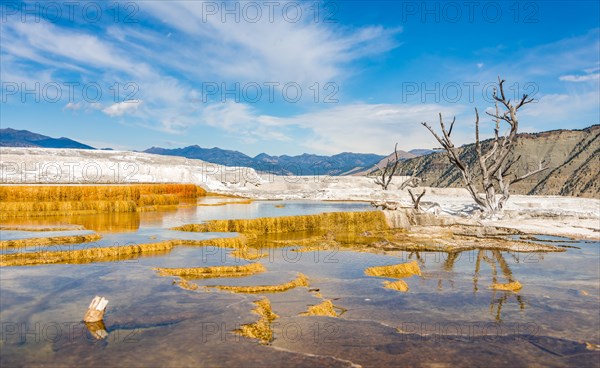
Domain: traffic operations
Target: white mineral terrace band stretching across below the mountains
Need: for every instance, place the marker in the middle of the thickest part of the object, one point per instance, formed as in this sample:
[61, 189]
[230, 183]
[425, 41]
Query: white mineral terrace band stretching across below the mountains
[569, 216]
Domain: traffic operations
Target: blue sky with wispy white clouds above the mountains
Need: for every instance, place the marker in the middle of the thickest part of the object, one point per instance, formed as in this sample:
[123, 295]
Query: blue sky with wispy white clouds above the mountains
[291, 77]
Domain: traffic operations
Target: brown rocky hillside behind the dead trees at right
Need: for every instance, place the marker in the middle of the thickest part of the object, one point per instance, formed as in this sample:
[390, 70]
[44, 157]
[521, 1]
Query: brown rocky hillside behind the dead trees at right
[573, 157]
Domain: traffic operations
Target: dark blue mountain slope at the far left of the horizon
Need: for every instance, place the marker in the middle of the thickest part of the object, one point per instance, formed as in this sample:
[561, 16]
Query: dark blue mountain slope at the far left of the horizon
[24, 138]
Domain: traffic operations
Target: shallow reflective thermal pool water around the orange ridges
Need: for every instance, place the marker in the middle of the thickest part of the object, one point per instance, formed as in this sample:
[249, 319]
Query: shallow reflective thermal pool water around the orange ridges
[448, 317]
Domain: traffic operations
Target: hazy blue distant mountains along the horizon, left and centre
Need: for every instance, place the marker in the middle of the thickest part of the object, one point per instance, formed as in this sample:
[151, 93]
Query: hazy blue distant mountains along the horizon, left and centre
[306, 164]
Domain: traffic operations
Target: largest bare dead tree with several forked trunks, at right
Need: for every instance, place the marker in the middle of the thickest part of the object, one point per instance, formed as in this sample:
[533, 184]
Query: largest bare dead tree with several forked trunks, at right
[495, 176]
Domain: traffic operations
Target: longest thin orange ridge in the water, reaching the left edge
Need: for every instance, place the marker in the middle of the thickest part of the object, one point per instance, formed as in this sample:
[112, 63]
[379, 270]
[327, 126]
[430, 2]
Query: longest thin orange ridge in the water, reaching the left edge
[109, 254]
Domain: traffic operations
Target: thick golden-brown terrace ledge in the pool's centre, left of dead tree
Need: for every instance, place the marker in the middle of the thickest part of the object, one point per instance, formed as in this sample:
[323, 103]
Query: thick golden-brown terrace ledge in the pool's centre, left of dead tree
[337, 221]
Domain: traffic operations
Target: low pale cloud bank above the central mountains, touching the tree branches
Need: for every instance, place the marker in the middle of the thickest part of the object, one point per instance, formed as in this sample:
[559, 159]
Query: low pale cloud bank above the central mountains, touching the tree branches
[356, 127]
